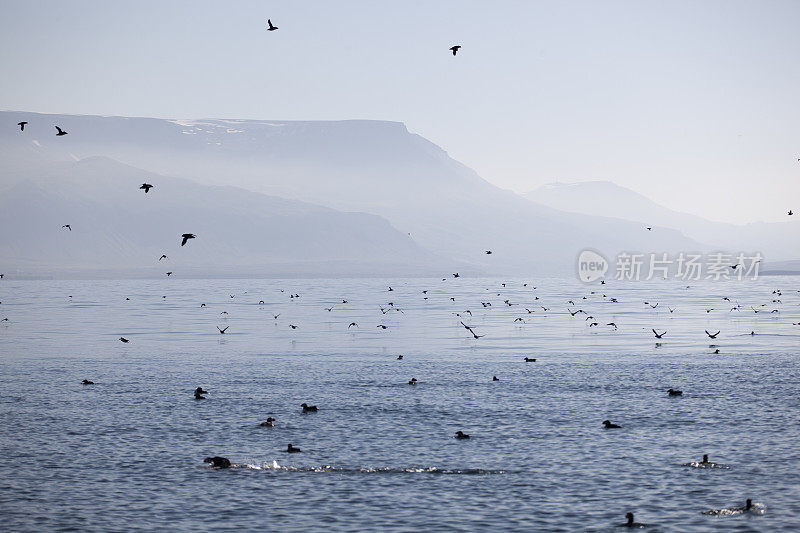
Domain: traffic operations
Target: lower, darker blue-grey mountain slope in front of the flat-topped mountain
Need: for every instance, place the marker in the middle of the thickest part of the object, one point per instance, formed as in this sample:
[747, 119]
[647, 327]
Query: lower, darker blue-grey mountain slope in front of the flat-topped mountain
[118, 230]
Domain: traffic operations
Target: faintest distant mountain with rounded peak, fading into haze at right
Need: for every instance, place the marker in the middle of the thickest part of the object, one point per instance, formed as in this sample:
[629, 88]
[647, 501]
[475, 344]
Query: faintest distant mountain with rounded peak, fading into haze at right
[777, 241]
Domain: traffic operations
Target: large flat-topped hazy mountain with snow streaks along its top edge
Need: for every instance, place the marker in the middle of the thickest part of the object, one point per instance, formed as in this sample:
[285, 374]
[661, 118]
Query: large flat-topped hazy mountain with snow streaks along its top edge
[374, 167]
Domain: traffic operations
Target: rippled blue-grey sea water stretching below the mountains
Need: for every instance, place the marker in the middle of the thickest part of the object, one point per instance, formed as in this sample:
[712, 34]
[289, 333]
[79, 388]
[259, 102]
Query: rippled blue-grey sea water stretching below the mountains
[126, 452]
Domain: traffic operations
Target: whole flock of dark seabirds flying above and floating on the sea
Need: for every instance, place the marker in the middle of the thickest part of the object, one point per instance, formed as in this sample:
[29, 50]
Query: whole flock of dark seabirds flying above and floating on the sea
[590, 320]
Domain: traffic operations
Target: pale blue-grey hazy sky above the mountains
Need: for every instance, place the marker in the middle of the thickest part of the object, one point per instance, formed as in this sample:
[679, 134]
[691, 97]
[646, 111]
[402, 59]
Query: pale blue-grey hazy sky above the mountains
[695, 104]
